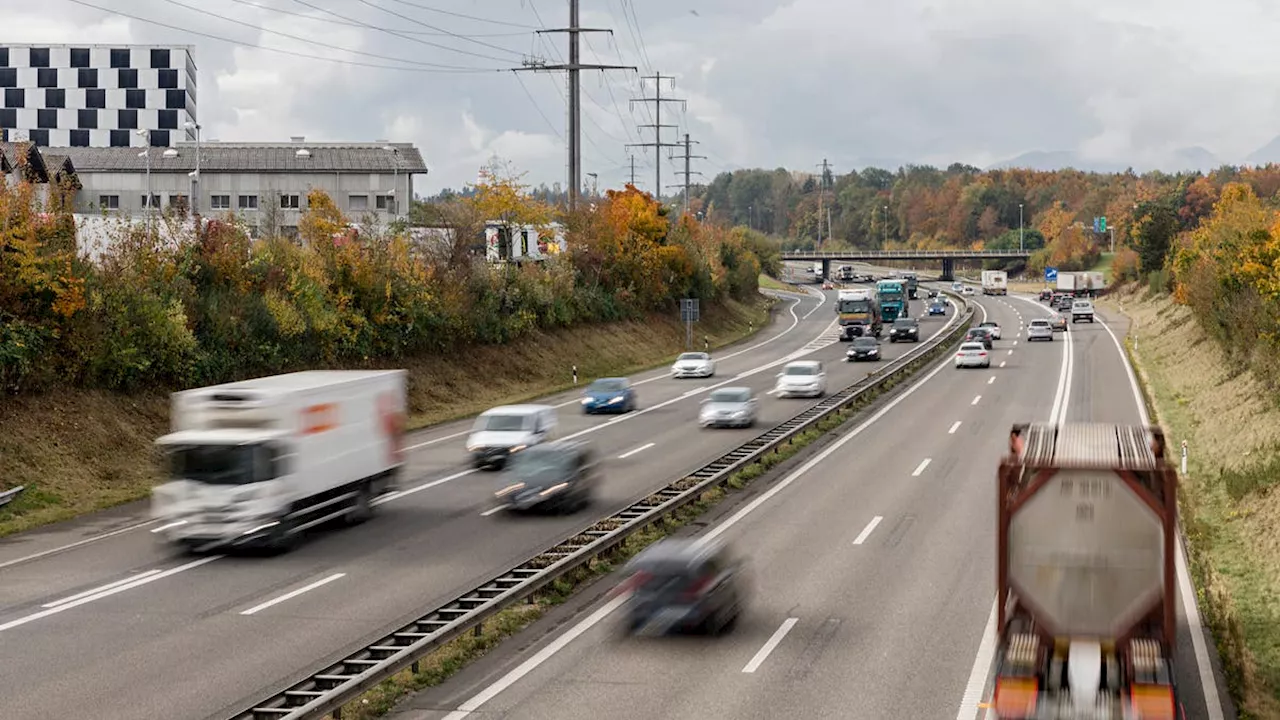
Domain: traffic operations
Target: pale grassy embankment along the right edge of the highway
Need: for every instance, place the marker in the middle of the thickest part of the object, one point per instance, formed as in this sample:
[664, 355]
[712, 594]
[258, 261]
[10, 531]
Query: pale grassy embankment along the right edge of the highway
[1229, 504]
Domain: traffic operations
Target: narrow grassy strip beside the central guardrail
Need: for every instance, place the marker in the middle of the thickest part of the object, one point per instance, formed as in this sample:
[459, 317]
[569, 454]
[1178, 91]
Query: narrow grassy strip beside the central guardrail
[454, 657]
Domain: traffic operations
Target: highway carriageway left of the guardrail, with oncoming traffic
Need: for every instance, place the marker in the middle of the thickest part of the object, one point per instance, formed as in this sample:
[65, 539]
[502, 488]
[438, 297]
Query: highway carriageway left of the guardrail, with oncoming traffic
[99, 614]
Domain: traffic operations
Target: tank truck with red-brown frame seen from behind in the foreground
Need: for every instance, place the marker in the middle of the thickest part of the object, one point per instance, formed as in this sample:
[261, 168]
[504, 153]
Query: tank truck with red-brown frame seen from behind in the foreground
[1085, 578]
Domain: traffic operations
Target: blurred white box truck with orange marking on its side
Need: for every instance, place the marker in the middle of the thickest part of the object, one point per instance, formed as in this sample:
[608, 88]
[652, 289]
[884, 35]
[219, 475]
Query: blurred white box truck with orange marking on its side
[259, 463]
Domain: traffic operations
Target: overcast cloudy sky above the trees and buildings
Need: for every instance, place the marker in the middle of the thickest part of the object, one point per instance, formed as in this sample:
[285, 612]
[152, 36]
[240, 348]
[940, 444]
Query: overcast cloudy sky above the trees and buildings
[767, 83]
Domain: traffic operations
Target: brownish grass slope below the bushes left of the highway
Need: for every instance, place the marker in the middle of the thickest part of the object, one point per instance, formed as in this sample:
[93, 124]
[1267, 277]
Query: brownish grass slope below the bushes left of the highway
[79, 452]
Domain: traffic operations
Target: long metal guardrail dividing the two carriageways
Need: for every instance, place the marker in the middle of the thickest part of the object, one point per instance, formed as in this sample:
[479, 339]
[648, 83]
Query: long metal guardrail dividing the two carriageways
[339, 683]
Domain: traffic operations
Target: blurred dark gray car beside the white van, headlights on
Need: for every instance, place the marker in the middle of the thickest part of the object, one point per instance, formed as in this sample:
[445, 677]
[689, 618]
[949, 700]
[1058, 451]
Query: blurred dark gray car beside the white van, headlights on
[559, 476]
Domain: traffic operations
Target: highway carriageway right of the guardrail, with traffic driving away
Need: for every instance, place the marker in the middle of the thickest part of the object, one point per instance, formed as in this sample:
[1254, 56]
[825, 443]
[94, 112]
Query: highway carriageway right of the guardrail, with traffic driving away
[872, 569]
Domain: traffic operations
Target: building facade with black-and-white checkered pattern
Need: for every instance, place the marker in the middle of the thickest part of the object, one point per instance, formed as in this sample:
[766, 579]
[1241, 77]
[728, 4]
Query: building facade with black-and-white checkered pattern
[98, 95]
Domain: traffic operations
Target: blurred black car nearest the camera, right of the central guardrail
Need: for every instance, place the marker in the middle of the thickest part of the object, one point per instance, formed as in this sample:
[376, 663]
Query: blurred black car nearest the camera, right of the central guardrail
[679, 586]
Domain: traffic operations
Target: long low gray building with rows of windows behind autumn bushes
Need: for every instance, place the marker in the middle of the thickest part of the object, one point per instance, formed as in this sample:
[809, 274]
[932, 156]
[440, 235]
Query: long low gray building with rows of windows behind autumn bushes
[267, 184]
